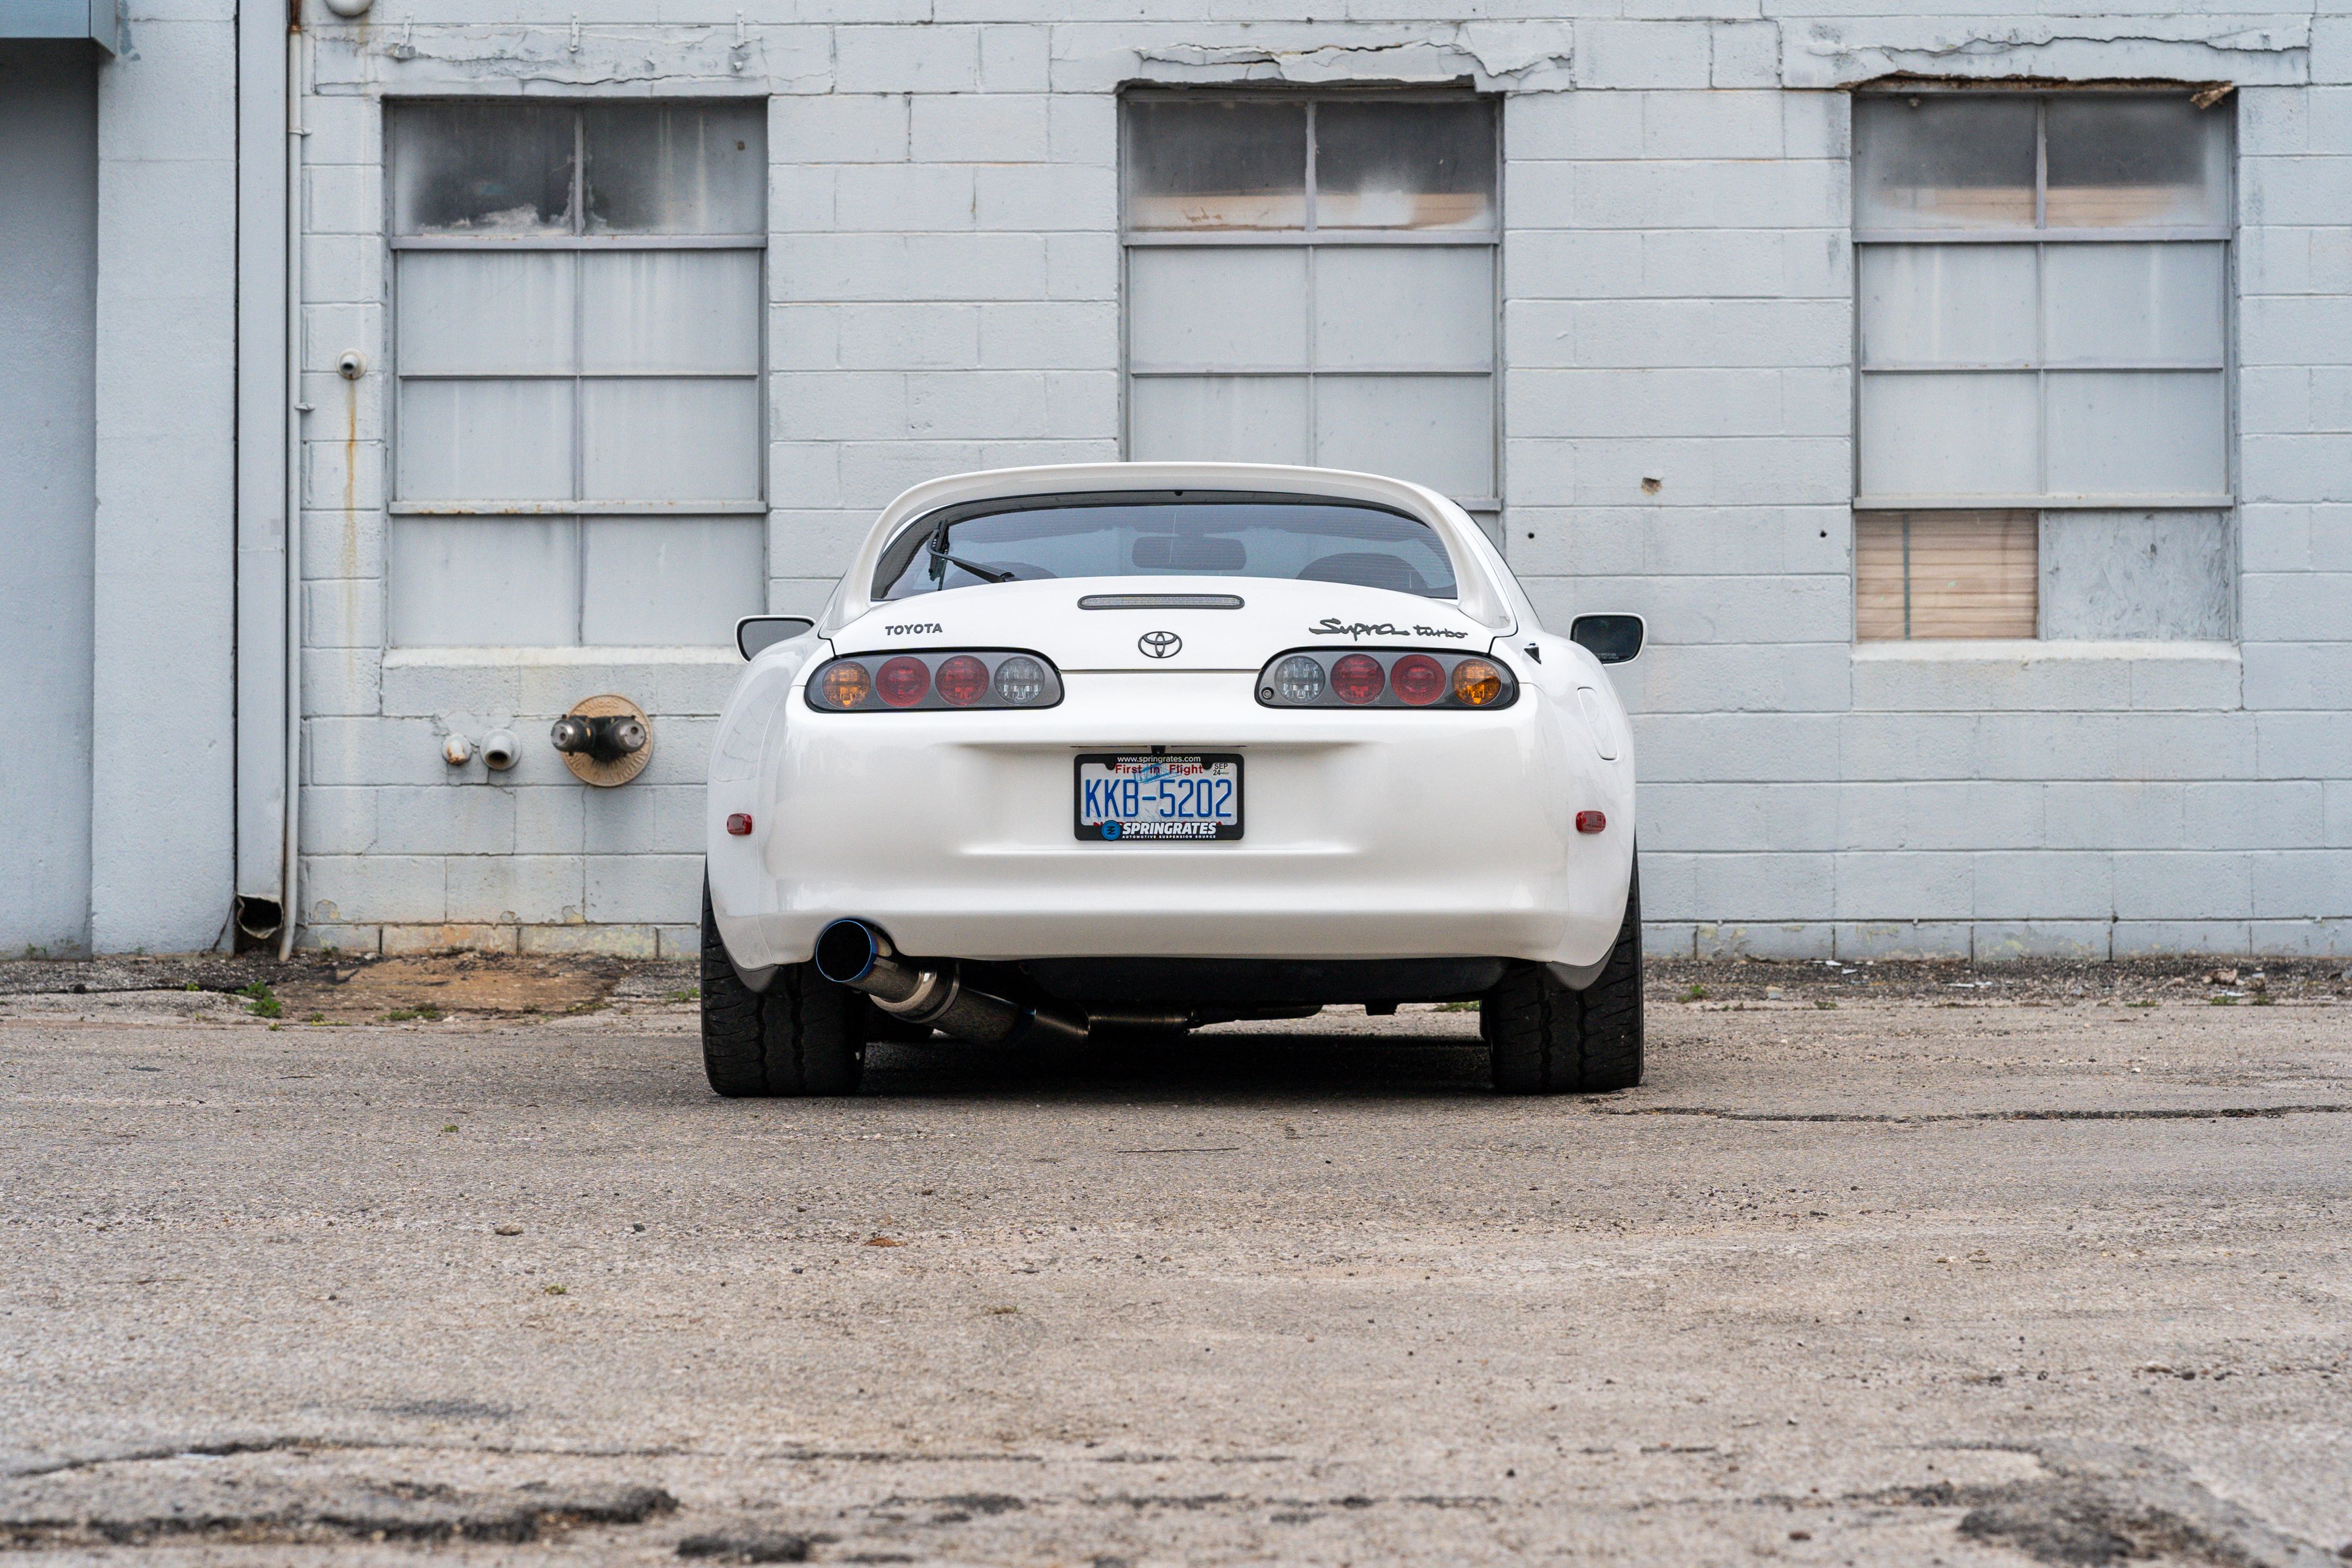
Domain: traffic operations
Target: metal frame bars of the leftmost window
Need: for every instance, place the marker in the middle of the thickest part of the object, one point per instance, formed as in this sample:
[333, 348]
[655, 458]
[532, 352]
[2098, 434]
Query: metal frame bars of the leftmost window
[577, 507]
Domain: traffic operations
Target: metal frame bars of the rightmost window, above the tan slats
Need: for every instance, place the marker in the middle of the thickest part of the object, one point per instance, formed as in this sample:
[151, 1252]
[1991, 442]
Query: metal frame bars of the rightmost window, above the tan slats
[2043, 239]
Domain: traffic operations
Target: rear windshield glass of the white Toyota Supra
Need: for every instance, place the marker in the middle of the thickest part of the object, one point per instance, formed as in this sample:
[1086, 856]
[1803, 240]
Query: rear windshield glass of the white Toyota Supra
[1144, 535]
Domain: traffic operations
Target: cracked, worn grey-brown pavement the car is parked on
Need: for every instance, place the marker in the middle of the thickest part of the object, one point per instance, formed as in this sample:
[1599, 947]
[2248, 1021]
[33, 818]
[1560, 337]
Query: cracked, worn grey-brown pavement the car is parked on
[1892, 1282]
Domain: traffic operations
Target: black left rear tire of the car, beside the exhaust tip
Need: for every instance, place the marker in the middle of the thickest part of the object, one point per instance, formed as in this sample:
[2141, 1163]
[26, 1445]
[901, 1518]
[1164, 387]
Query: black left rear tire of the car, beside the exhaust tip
[803, 1038]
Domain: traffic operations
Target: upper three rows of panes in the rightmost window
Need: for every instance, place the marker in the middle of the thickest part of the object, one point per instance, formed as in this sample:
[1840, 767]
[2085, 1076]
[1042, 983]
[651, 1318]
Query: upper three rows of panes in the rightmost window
[1944, 170]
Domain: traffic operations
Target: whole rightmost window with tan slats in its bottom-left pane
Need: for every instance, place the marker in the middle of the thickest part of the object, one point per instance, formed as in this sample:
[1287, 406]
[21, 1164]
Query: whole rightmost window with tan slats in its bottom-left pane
[2043, 307]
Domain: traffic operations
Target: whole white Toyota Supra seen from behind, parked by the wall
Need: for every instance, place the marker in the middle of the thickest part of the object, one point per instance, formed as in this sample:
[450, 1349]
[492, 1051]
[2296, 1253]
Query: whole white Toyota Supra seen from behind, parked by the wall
[1170, 744]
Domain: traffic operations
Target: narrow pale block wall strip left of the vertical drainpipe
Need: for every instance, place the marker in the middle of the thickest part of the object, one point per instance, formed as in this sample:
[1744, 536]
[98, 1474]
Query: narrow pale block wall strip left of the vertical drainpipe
[163, 610]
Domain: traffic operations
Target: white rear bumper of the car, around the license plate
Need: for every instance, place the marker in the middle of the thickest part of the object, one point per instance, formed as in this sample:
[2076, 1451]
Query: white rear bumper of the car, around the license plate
[1365, 836]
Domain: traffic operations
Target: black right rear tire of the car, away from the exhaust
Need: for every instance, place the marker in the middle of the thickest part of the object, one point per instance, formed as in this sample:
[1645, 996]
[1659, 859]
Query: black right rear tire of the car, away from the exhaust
[1544, 1038]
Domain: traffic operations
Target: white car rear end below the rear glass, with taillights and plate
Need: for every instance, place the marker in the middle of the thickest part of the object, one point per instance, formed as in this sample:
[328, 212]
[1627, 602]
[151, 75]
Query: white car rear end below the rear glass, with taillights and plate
[1339, 772]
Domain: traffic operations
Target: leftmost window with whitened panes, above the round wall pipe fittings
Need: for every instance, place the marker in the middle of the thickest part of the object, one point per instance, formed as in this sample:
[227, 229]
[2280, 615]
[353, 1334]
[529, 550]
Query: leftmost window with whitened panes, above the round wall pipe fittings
[577, 373]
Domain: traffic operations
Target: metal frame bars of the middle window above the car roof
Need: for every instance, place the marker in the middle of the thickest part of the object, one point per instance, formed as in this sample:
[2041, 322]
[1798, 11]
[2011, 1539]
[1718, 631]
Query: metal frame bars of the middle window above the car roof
[1309, 236]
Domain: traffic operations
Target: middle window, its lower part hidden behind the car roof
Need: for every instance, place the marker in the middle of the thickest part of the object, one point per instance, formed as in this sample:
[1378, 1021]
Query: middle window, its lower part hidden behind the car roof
[1311, 281]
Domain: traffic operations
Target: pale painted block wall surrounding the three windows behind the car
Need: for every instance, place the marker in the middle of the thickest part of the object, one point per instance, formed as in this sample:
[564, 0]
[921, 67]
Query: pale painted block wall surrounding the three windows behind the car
[944, 293]
